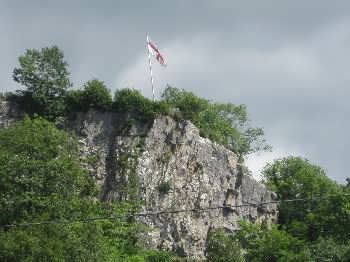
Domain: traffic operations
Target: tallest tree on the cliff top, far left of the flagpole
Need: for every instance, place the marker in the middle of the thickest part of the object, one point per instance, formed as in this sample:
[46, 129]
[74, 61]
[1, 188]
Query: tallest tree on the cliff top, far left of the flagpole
[45, 74]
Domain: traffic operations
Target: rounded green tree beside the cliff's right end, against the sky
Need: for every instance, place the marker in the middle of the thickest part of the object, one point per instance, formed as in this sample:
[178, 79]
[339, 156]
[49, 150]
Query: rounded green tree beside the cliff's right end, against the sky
[327, 215]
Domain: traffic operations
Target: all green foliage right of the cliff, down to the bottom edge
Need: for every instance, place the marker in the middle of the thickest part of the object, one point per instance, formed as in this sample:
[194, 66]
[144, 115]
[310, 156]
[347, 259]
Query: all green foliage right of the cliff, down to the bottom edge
[309, 231]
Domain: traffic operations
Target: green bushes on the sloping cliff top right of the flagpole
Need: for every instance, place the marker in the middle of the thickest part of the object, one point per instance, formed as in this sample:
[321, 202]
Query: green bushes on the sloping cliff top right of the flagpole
[226, 124]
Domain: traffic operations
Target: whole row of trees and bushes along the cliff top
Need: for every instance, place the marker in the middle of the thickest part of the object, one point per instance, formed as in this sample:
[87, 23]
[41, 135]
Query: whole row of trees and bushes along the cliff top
[45, 74]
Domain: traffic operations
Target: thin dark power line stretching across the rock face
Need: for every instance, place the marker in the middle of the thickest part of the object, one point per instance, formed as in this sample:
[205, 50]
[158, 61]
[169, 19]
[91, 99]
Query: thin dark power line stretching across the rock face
[154, 213]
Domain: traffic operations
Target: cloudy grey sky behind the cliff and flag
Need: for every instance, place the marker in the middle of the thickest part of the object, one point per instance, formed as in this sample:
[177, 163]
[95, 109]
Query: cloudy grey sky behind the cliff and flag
[288, 61]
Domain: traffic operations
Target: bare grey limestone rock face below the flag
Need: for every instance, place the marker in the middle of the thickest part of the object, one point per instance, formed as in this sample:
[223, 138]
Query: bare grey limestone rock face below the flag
[166, 165]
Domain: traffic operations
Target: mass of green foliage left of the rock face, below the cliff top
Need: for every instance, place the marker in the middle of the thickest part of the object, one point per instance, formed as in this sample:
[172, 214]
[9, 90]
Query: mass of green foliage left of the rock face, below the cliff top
[41, 180]
